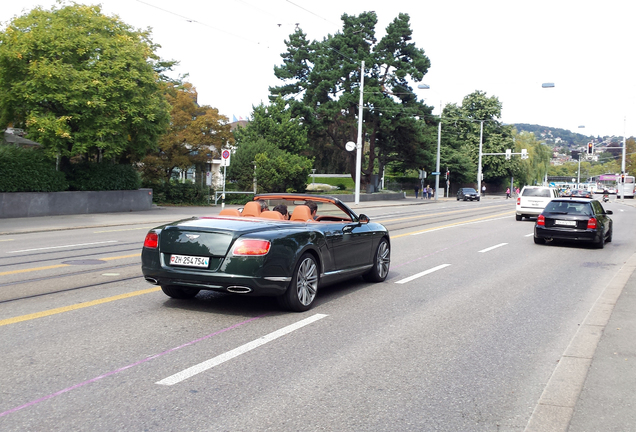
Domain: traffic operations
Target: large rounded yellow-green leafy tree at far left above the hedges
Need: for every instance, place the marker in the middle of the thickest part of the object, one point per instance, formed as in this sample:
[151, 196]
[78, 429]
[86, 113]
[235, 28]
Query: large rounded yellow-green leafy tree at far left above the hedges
[82, 83]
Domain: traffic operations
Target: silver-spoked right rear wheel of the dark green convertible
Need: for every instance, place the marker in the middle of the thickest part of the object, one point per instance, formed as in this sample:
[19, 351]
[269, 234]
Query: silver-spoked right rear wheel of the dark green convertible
[301, 292]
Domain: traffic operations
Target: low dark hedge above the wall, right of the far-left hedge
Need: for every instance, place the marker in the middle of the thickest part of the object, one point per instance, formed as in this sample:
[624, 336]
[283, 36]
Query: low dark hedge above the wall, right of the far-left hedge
[102, 176]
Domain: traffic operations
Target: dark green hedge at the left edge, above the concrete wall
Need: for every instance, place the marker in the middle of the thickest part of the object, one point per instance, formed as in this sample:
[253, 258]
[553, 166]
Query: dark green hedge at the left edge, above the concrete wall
[28, 170]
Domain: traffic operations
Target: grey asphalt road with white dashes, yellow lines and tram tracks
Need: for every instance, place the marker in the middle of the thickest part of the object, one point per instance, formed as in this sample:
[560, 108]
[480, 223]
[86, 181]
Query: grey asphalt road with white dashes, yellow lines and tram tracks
[464, 335]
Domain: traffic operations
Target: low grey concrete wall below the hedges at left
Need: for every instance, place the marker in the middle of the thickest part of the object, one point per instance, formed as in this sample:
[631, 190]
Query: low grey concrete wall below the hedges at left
[27, 204]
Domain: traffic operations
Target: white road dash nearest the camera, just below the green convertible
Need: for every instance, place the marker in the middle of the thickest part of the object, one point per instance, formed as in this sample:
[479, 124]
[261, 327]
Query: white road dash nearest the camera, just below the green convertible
[208, 364]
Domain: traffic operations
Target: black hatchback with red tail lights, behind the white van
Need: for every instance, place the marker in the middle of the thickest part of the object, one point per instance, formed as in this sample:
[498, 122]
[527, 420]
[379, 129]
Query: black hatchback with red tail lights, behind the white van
[574, 219]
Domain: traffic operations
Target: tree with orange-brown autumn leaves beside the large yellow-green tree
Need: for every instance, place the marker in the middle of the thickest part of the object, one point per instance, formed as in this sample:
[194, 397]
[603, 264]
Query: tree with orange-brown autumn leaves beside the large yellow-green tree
[196, 133]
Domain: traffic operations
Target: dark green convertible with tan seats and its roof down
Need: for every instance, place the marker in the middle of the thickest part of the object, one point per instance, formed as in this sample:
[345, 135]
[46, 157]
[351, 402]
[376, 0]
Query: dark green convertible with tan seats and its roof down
[258, 251]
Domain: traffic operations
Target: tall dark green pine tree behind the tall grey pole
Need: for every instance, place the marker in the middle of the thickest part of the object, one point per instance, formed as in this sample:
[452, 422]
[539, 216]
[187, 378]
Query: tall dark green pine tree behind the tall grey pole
[327, 76]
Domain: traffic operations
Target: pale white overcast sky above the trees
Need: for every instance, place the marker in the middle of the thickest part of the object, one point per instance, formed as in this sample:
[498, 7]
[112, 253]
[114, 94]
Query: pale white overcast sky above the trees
[504, 48]
